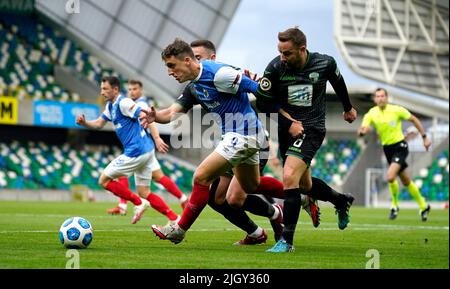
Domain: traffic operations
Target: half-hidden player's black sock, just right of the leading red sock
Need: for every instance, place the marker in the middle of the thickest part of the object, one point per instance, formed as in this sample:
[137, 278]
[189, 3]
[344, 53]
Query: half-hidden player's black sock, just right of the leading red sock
[236, 216]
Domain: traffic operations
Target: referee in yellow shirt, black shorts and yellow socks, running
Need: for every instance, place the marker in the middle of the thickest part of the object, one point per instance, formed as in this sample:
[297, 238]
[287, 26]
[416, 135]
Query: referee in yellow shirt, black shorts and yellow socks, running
[387, 120]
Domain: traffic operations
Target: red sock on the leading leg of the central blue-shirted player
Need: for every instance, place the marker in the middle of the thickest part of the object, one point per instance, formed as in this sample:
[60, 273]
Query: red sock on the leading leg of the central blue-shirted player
[198, 200]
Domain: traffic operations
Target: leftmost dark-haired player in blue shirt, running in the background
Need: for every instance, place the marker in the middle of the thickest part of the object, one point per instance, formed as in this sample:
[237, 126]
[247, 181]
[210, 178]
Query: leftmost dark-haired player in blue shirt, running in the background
[139, 150]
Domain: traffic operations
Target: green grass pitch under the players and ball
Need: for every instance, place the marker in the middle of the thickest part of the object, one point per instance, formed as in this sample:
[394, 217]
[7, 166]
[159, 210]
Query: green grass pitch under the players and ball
[29, 239]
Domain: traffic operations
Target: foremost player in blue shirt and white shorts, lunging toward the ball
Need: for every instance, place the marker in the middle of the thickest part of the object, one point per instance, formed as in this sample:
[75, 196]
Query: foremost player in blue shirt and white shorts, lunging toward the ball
[222, 91]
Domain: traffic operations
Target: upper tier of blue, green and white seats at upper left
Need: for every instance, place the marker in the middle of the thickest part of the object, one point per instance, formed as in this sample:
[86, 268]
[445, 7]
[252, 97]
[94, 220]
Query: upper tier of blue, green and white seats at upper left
[28, 56]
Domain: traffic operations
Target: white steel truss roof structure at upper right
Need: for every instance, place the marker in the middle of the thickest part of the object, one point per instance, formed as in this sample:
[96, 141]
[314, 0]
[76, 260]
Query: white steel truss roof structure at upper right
[403, 43]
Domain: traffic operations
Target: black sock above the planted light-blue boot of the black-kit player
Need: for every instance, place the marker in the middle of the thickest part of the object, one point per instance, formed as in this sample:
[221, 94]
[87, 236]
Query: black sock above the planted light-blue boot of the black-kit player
[291, 212]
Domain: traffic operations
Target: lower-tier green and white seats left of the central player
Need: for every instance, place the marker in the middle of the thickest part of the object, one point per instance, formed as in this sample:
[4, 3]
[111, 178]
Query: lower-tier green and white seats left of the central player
[36, 165]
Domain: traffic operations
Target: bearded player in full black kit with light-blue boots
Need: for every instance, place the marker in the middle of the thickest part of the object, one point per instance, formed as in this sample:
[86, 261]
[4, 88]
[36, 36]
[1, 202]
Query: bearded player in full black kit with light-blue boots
[295, 81]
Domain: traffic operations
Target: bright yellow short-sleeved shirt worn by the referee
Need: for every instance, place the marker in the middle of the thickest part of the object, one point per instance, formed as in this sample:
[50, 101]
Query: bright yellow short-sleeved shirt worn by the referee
[387, 122]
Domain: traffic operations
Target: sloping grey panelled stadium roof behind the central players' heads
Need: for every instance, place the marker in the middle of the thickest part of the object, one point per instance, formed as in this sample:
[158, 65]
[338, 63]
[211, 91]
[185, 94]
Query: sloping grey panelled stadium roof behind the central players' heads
[130, 35]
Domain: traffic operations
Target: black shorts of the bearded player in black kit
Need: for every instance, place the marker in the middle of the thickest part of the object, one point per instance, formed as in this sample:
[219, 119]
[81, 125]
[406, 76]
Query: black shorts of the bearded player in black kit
[305, 147]
